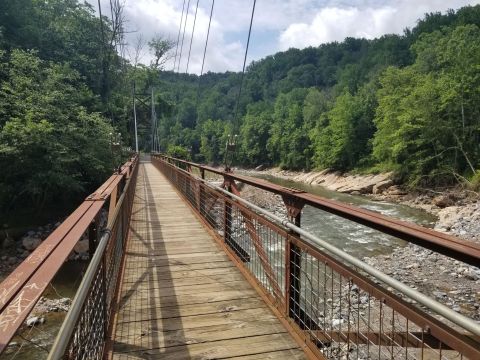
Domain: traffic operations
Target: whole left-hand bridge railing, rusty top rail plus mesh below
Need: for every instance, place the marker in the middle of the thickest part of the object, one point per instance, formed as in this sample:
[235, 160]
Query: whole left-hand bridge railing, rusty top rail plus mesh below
[20, 291]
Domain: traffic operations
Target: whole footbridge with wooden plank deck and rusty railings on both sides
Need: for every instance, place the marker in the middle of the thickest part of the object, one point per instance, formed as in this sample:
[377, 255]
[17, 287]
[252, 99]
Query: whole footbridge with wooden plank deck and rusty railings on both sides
[186, 269]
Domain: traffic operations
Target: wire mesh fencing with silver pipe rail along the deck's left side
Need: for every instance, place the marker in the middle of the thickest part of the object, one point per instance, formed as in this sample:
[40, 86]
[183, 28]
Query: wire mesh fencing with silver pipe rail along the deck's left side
[97, 289]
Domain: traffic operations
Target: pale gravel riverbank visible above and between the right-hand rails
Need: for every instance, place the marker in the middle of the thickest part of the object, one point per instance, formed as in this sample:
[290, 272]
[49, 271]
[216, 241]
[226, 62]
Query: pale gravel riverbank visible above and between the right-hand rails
[452, 283]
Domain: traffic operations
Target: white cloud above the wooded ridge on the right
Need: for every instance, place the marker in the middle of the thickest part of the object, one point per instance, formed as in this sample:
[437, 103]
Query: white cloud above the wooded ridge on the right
[335, 23]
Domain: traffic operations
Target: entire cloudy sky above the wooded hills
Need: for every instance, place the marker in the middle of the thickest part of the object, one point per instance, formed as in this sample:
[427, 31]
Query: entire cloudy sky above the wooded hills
[277, 26]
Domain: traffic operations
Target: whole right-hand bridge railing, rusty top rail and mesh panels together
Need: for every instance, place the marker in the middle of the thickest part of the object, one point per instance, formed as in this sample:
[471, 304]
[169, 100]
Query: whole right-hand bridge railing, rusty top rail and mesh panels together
[336, 306]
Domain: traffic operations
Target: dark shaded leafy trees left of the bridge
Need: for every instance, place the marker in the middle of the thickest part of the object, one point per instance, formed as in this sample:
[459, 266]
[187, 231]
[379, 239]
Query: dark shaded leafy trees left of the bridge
[61, 97]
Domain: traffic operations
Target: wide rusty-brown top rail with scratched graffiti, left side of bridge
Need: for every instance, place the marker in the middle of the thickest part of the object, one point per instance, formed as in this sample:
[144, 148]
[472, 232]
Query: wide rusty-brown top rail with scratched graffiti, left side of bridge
[22, 289]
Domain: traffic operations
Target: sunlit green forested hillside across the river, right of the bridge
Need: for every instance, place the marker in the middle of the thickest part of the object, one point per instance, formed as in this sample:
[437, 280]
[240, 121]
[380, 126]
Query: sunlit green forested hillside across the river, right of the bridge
[407, 103]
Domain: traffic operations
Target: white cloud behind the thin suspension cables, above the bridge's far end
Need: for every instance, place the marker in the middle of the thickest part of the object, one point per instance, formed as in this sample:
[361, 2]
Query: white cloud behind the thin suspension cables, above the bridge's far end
[150, 17]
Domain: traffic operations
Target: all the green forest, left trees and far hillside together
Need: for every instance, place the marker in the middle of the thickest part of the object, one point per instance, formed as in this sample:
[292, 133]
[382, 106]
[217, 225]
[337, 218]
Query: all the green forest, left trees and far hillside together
[408, 103]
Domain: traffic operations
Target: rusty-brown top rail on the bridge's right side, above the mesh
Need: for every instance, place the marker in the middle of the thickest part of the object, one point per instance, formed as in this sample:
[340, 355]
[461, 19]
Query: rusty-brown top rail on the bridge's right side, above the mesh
[451, 246]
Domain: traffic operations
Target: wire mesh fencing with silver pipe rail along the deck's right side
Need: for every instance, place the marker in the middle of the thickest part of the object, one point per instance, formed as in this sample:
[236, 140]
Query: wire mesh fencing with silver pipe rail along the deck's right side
[337, 309]
